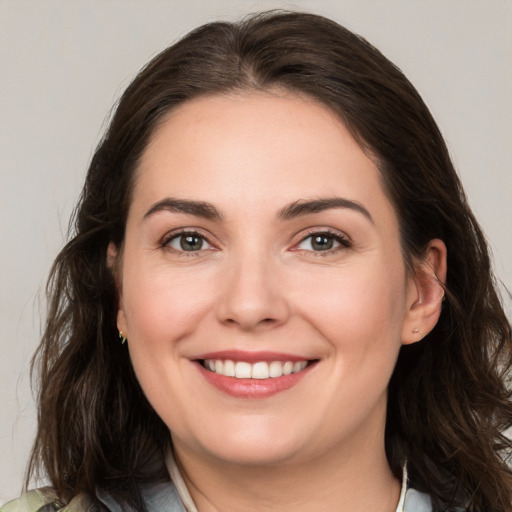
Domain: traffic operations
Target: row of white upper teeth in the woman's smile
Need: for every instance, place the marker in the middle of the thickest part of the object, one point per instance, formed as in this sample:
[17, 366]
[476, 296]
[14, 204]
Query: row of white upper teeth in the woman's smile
[259, 370]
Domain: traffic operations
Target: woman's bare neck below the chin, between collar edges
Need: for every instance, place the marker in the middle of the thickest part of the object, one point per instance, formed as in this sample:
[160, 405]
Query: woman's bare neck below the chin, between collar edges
[341, 480]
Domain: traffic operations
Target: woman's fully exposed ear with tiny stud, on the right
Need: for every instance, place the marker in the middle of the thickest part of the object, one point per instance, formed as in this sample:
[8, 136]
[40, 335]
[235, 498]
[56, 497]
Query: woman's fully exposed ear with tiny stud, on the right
[425, 293]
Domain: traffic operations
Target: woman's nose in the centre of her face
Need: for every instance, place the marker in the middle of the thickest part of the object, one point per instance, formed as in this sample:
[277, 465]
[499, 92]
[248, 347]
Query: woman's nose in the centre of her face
[254, 294]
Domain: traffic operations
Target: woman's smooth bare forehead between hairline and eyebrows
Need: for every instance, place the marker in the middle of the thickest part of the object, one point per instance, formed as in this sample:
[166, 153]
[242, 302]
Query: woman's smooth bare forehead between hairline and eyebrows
[255, 149]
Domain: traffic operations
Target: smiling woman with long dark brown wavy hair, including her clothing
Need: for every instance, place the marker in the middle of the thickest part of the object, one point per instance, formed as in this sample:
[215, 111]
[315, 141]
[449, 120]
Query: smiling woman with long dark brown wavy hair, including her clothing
[276, 297]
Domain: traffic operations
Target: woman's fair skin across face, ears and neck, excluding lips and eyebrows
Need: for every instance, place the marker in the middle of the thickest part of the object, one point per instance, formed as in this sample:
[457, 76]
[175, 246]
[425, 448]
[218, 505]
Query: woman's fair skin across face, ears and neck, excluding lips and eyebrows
[258, 284]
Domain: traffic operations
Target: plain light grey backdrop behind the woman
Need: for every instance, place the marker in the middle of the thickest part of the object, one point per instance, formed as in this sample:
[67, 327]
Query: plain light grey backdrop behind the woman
[63, 64]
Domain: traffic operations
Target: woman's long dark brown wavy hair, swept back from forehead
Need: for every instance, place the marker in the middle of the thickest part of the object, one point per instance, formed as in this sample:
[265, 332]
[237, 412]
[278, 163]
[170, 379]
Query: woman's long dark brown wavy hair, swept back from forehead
[449, 402]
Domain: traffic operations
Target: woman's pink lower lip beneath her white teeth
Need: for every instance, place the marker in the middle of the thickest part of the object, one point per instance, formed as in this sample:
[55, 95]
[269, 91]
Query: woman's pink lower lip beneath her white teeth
[253, 388]
